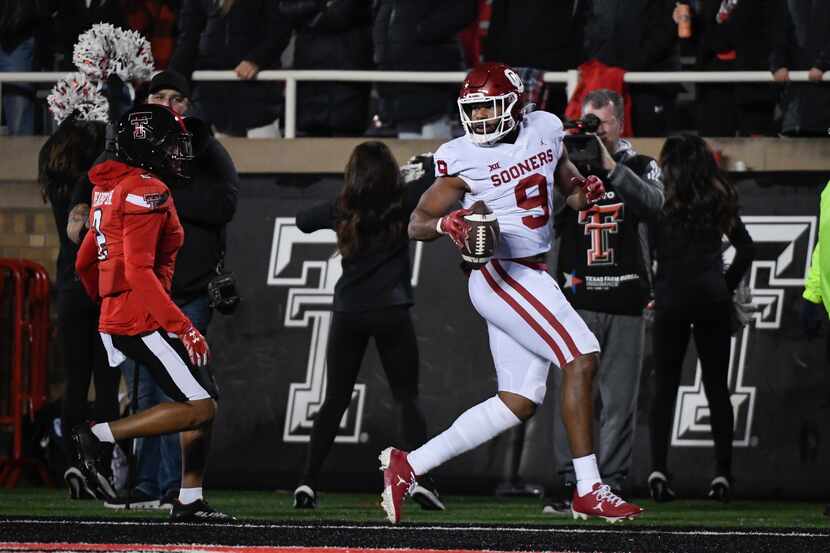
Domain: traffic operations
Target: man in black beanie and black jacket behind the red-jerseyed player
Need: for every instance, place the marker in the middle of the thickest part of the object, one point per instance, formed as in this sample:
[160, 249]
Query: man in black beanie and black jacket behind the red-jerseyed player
[205, 204]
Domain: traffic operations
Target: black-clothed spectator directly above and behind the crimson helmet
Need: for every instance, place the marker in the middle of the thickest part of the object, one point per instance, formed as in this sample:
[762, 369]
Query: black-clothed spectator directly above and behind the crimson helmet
[551, 39]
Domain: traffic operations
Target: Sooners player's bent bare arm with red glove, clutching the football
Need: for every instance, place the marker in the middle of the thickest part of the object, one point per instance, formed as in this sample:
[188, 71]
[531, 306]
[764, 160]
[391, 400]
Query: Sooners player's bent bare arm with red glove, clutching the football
[430, 220]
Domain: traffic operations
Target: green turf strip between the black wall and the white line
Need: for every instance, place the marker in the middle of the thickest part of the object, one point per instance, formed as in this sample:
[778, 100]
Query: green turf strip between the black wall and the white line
[276, 506]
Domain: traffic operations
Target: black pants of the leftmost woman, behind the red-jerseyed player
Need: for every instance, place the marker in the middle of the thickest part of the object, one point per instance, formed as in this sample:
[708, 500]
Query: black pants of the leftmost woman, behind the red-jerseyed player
[84, 359]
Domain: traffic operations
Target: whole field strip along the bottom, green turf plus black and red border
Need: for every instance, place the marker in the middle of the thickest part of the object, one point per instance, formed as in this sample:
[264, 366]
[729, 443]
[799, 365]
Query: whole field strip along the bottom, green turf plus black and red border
[37, 519]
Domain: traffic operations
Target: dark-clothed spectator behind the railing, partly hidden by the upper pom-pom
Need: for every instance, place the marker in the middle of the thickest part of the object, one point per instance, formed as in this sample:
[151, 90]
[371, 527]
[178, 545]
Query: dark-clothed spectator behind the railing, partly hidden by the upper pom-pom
[74, 17]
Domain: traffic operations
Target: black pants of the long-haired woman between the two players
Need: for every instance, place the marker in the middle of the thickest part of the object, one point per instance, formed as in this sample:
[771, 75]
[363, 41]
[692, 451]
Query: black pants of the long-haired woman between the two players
[395, 339]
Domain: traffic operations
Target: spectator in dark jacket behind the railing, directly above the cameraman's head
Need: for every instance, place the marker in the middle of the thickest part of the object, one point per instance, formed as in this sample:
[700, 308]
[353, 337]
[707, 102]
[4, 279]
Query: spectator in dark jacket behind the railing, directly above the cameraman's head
[637, 35]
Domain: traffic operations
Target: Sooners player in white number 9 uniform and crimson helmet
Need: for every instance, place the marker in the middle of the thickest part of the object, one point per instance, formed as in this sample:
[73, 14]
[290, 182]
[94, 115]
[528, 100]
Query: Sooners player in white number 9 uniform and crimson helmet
[511, 161]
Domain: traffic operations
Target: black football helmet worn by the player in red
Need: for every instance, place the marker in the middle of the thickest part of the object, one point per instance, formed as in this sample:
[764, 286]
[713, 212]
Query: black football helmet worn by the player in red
[155, 138]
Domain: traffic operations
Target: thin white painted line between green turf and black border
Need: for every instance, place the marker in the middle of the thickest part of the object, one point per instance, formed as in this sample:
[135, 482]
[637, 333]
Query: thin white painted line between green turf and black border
[618, 530]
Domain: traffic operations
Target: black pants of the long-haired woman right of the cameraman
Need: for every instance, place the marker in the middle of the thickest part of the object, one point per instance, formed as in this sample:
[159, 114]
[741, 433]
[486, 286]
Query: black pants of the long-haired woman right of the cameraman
[712, 334]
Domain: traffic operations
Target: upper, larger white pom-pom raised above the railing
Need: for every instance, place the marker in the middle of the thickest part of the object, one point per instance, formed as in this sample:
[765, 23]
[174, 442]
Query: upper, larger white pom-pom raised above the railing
[104, 50]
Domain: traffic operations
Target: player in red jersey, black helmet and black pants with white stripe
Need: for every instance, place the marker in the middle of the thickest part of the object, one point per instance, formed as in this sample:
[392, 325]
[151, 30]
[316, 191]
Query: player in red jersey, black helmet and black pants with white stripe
[127, 263]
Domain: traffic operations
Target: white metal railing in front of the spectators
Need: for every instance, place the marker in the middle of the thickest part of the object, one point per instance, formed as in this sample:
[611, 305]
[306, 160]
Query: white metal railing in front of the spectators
[570, 78]
